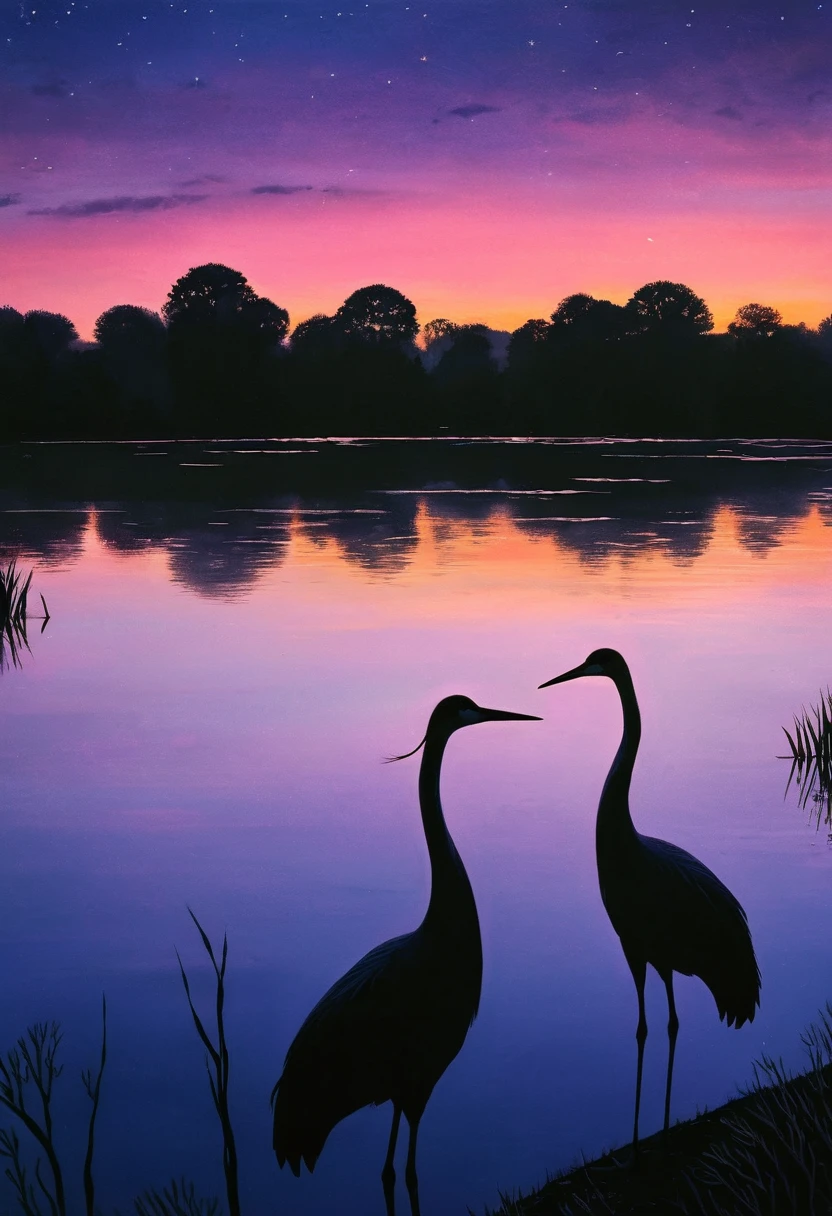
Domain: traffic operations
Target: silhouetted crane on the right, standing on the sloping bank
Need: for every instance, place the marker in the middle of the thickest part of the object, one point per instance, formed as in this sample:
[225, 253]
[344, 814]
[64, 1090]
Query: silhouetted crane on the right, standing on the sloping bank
[666, 907]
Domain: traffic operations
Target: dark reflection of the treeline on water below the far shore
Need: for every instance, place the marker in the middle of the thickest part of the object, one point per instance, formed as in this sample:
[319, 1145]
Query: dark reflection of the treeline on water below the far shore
[224, 514]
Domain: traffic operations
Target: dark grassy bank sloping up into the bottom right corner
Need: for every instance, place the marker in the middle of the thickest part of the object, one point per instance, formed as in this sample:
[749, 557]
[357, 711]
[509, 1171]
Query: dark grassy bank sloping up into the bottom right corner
[767, 1153]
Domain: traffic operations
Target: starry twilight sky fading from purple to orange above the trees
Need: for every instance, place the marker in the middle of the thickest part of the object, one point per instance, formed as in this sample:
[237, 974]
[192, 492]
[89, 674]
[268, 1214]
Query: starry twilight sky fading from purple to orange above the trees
[487, 157]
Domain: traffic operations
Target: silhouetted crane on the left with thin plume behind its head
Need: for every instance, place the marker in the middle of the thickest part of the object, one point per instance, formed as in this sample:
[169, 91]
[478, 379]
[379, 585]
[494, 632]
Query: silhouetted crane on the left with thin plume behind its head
[390, 1028]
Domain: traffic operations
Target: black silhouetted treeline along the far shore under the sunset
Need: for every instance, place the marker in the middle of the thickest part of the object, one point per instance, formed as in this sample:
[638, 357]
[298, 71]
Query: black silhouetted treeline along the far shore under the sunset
[220, 361]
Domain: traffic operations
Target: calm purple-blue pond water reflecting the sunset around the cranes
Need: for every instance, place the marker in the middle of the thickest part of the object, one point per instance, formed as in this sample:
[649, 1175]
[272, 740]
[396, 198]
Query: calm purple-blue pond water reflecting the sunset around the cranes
[241, 632]
